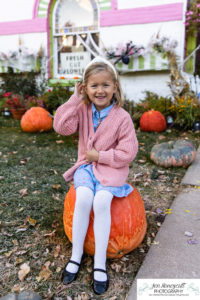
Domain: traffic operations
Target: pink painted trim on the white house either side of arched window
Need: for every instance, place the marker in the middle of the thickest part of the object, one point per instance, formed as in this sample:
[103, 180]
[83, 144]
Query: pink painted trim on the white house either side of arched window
[113, 17]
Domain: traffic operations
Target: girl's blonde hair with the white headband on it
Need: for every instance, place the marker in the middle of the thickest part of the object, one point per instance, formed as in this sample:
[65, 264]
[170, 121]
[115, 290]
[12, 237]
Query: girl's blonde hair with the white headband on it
[99, 67]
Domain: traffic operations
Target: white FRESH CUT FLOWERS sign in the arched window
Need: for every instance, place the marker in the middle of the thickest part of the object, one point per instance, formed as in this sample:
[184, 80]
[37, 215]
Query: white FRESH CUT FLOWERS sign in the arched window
[75, 62]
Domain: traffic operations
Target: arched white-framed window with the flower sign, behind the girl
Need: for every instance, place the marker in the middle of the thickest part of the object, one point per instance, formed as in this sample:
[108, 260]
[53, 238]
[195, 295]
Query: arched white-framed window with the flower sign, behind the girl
[75, 36]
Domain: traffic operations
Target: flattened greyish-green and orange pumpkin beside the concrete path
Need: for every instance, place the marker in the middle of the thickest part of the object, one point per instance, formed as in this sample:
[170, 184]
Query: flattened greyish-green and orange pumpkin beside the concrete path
[173, 153]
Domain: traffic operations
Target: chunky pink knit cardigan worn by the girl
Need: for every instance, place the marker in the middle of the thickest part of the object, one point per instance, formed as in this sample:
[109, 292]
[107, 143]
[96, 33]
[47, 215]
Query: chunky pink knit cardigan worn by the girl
[115, 140]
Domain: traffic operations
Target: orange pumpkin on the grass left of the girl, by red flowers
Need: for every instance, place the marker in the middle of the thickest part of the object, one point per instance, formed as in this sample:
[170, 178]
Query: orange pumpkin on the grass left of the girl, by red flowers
[36, 119]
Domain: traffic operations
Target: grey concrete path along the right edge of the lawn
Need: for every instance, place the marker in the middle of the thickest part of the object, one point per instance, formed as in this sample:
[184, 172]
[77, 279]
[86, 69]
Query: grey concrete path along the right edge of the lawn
[176, 255]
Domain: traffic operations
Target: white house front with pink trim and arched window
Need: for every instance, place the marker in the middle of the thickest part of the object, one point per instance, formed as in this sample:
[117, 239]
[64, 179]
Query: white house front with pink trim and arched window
[71, 32]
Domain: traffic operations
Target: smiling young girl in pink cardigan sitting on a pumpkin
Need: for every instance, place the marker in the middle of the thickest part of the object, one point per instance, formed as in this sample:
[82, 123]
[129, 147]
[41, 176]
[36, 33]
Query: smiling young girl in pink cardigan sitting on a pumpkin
[107, 145]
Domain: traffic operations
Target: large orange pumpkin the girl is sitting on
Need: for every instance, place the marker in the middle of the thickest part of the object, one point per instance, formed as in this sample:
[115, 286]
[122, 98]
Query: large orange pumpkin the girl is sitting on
[128, 224]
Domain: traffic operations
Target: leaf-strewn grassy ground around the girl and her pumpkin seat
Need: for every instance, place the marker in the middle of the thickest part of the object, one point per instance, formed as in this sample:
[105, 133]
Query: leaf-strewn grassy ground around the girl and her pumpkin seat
[32, 198]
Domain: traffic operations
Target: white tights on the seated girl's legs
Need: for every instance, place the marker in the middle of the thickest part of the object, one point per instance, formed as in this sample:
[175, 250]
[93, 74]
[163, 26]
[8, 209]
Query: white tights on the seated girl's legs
[101, 203]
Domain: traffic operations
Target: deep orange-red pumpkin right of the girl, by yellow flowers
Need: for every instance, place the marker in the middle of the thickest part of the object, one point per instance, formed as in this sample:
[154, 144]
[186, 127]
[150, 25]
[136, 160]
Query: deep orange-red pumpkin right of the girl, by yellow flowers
[153, 120]
